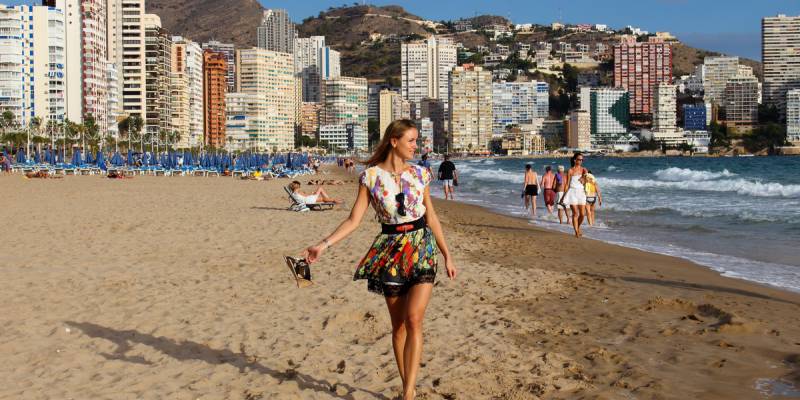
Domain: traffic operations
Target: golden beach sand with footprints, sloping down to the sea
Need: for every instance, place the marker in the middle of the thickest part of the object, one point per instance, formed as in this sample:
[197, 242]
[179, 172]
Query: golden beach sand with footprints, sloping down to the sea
[175, 288]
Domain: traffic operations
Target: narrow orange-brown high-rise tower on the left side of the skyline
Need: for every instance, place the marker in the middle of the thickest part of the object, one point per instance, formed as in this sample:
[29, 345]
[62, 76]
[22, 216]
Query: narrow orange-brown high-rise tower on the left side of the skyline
[215, 85]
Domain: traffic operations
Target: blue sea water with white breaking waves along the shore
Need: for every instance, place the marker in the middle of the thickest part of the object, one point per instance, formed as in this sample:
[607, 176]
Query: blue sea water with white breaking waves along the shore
[737, 215]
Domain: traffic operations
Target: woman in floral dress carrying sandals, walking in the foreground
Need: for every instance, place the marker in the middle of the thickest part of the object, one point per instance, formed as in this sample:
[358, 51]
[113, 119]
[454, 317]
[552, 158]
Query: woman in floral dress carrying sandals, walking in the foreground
[401, 265]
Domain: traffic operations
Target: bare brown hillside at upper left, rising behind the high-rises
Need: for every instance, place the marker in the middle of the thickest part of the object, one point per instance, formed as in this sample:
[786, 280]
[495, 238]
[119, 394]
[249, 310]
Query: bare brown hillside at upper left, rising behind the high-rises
[229, 21]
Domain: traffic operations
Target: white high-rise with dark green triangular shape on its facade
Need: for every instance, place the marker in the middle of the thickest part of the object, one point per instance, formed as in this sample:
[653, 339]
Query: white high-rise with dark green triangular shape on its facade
[610, 115]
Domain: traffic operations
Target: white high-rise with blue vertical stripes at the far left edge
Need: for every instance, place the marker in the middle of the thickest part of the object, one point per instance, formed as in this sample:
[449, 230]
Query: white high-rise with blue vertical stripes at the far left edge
[31, 47]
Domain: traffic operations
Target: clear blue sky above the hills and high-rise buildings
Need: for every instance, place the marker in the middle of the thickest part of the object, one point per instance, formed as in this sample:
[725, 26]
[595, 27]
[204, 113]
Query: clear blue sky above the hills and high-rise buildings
[728, 26]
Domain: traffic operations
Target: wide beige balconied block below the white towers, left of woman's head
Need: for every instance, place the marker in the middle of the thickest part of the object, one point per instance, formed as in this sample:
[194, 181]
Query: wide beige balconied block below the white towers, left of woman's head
[344, 101]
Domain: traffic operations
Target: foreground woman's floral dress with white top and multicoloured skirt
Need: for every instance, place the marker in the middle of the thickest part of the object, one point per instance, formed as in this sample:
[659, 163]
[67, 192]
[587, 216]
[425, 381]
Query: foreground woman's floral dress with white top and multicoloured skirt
[395, 261]
